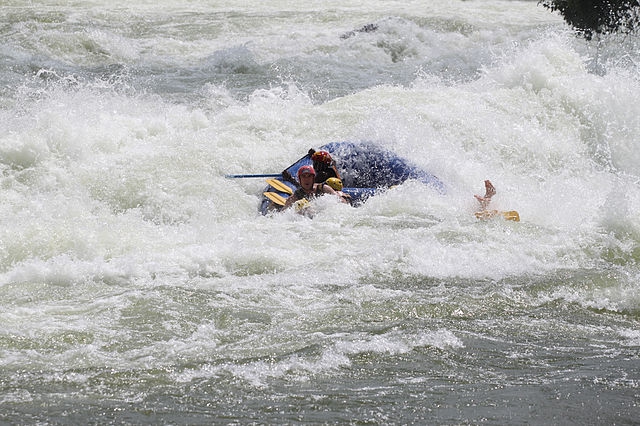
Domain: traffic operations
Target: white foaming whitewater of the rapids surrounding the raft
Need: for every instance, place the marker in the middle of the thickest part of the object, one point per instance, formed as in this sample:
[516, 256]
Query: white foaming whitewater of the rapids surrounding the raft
[113, 189]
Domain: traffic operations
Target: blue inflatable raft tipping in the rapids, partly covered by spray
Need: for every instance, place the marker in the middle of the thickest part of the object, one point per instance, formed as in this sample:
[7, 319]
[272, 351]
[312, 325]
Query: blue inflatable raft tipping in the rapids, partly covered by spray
[364, 169]
